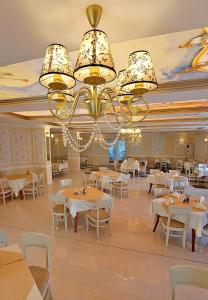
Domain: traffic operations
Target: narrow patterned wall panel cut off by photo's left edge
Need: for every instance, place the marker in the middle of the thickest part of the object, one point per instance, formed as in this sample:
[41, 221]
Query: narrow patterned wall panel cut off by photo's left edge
[5, 148]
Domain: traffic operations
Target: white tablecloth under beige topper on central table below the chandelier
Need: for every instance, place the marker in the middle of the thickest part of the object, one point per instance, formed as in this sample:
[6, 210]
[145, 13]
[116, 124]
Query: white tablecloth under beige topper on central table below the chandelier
[76, 206]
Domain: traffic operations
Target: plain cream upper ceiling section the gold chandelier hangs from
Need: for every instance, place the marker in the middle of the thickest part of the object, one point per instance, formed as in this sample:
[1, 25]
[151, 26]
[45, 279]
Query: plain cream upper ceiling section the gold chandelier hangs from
[28, 26]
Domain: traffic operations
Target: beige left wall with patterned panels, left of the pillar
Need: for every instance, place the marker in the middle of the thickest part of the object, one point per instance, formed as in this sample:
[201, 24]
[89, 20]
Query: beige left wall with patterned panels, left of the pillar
[21, 148]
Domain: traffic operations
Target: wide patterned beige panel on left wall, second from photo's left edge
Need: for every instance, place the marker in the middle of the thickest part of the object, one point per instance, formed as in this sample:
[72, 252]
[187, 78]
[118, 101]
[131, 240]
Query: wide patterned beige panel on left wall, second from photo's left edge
[21, 145]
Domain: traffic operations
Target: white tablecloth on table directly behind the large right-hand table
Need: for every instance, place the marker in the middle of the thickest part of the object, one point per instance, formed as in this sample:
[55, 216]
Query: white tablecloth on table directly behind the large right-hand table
[164, 180]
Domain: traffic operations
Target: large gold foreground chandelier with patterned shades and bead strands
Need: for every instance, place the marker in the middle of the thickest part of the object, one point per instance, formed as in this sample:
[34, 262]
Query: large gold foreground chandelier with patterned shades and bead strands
[120, 105]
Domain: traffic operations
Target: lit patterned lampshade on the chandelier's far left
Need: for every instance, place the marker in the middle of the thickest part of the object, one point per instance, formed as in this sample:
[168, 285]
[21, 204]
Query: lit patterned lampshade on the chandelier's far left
[57, 73]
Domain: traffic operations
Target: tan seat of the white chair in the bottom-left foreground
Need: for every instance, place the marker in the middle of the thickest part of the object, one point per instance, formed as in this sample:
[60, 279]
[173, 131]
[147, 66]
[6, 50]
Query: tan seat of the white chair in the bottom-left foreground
[41, 277]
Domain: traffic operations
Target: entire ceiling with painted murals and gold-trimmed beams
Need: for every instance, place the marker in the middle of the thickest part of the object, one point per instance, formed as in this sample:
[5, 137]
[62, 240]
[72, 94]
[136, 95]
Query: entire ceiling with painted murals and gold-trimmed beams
[163, 27]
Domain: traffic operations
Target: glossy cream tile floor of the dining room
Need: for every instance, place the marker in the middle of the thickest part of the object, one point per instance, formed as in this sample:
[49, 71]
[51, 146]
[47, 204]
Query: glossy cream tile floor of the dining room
[131, 264]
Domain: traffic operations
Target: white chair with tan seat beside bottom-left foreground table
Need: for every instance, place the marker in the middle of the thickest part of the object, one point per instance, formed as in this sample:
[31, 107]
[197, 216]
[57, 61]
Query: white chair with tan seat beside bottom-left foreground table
[40, 274]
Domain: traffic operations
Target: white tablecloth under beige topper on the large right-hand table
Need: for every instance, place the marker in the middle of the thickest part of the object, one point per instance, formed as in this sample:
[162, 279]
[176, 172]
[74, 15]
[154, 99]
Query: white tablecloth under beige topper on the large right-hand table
[197, 219]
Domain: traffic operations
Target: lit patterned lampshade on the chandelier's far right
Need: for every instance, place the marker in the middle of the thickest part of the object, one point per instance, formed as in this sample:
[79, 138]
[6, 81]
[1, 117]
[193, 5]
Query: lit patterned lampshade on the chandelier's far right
[140, 75]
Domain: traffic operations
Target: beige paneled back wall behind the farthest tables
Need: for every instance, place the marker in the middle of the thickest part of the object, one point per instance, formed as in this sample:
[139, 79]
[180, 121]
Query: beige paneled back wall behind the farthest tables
[164, 145]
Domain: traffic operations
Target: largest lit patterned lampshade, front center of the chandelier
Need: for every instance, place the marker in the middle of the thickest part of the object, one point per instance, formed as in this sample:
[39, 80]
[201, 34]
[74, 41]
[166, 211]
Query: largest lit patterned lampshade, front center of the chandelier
[95, 64]
